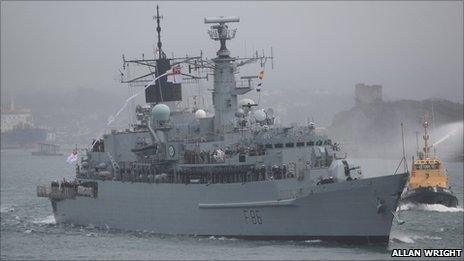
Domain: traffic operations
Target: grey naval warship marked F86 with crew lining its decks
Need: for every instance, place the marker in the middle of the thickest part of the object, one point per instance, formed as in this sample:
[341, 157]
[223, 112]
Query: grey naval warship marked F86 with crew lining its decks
[232, 172]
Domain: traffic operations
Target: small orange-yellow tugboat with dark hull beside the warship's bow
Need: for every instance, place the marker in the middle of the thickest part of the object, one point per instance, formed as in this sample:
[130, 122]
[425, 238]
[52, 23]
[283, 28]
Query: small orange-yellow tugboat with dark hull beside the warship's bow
[428, 183]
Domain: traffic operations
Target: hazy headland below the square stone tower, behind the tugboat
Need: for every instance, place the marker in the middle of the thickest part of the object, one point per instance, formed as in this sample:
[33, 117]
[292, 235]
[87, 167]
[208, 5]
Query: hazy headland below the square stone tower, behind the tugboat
[373, 129]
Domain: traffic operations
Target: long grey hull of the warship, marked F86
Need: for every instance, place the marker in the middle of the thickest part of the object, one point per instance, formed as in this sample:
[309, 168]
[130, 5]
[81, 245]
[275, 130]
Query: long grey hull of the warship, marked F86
[357, 211]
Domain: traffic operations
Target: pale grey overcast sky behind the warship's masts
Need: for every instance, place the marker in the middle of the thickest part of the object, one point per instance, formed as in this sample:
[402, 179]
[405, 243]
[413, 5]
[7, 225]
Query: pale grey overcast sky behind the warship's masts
[414, 49]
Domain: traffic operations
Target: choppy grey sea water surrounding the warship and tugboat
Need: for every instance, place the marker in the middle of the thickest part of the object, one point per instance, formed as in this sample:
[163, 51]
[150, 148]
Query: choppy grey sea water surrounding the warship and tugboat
[29, 231]
